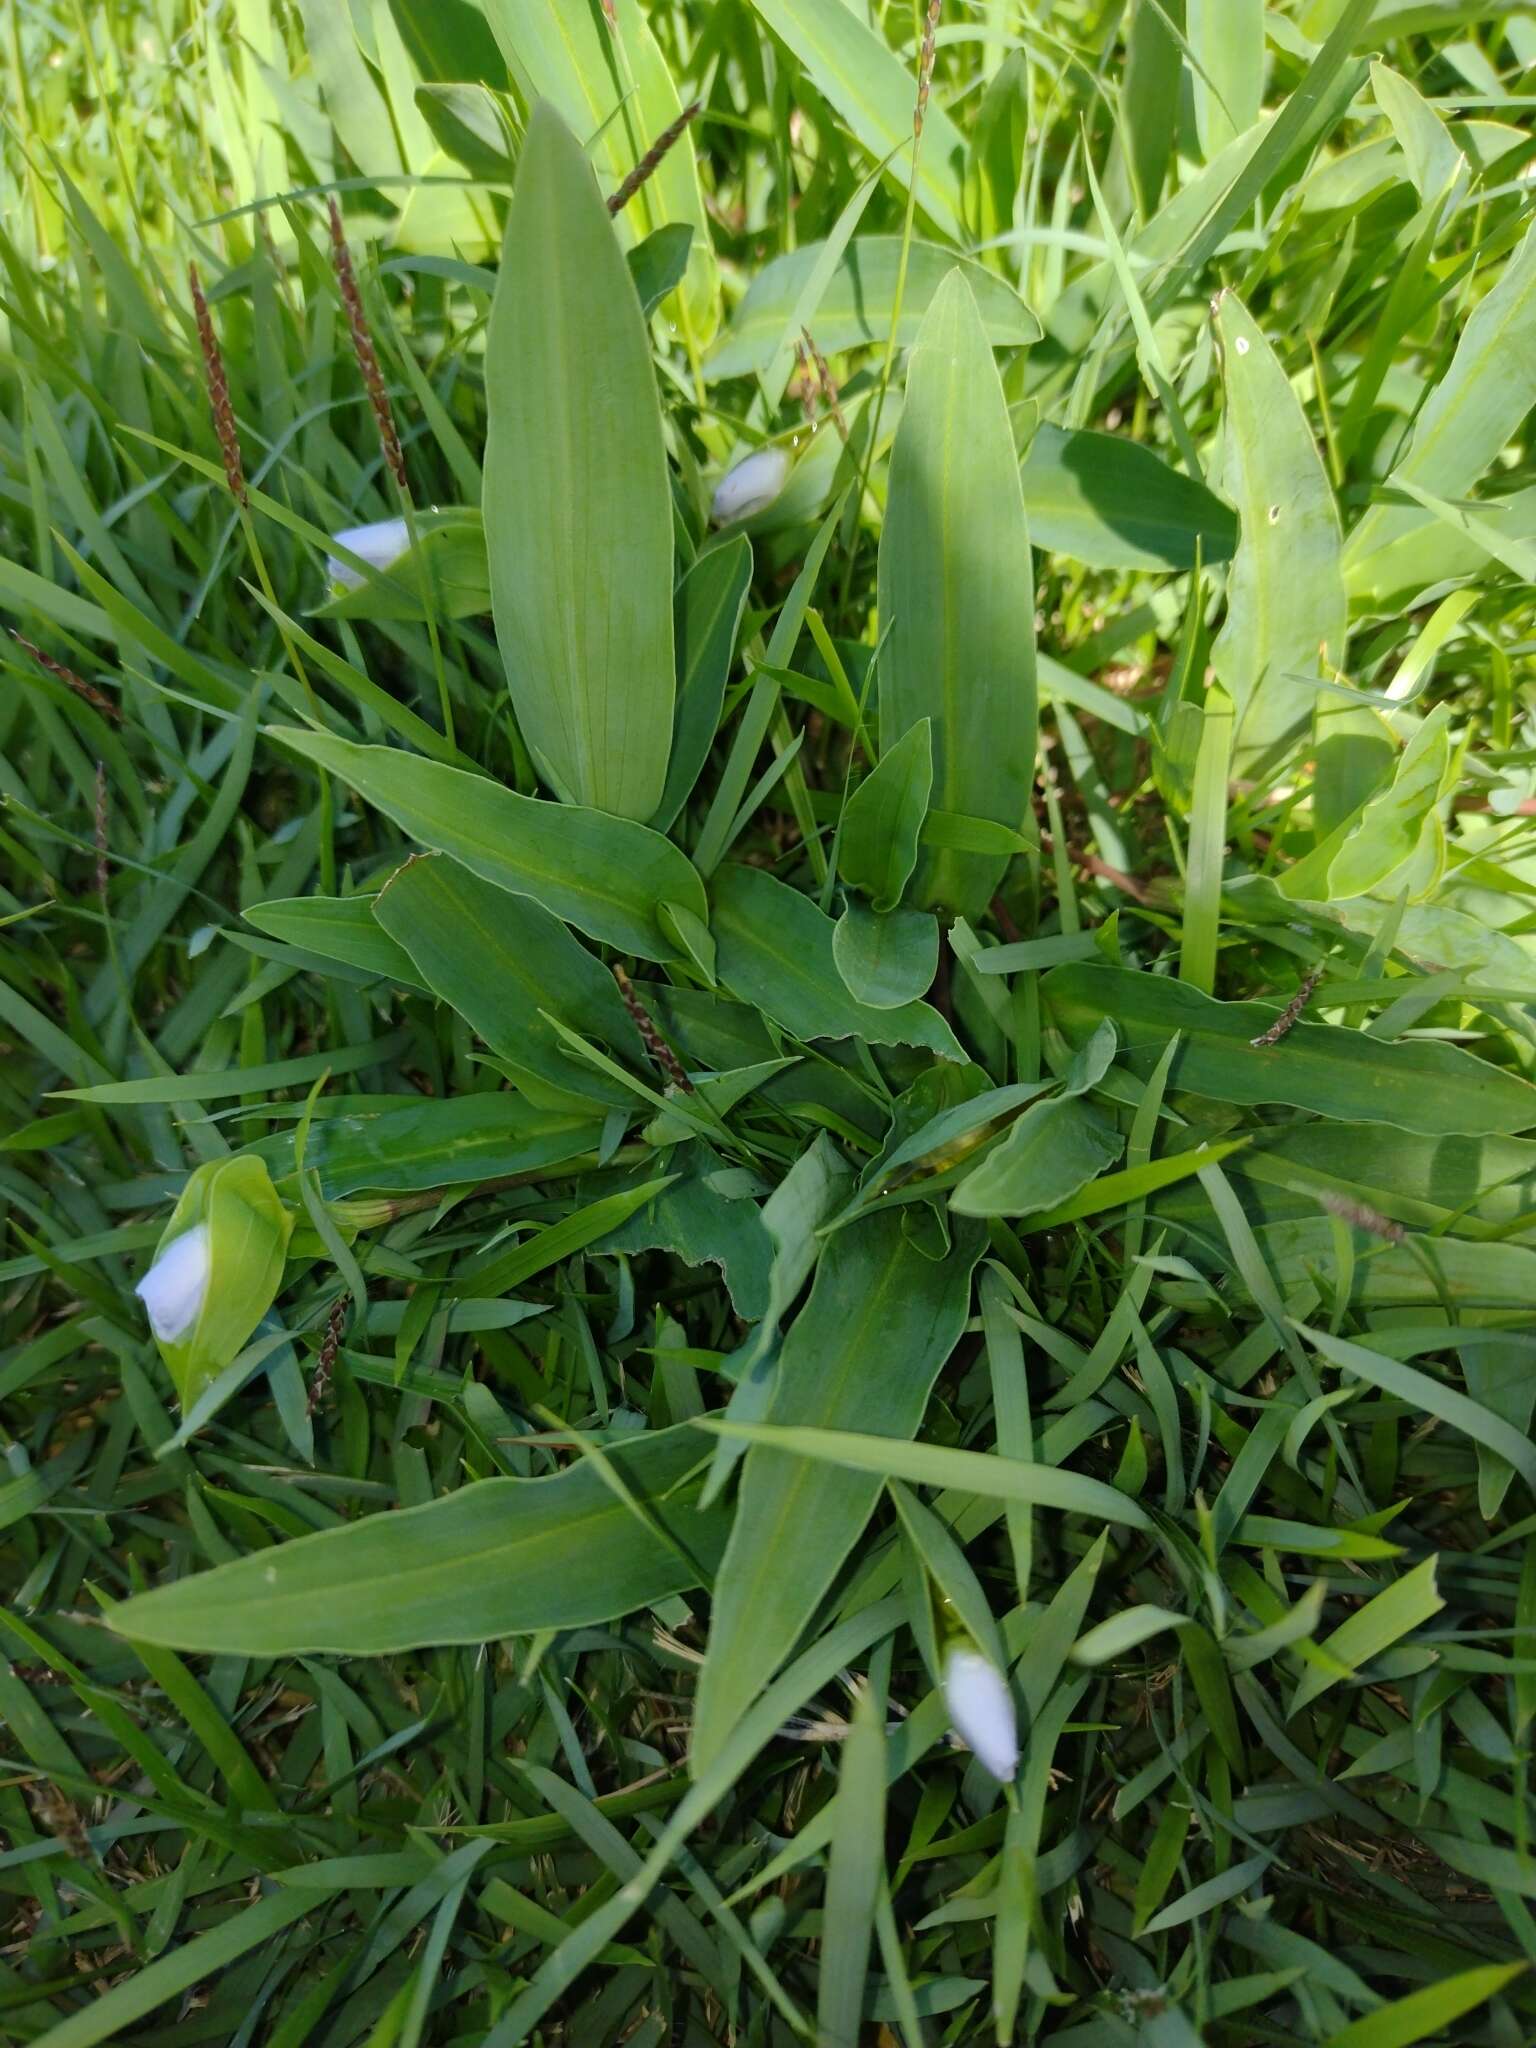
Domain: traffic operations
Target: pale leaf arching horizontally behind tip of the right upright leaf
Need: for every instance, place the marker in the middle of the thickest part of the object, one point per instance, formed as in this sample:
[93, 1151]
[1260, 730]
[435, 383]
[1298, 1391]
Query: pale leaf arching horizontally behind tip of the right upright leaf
[855, 310]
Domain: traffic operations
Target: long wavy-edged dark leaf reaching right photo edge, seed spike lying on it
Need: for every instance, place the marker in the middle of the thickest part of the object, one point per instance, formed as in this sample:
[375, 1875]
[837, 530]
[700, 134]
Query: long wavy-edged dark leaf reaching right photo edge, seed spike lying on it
[1416, 1084]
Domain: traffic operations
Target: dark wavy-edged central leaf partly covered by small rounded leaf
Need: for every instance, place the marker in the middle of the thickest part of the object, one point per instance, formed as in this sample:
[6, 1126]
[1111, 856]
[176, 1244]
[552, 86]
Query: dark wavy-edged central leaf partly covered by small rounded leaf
[775, 953]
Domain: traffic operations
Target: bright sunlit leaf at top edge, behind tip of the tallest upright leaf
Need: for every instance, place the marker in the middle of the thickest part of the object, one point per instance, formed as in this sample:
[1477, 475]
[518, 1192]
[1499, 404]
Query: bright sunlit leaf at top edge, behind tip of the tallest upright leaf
[611, 85]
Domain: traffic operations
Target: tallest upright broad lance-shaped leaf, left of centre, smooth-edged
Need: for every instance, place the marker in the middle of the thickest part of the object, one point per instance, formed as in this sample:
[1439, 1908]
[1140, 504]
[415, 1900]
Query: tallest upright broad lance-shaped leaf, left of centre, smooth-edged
[579, 509]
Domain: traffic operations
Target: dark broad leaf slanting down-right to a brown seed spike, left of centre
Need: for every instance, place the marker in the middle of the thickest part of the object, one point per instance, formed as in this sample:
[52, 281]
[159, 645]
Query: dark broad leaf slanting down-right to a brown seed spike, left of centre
[509, 970]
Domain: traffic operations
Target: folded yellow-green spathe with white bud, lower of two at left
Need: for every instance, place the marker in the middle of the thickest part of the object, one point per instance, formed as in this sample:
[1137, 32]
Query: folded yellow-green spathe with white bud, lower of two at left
[216, 1271]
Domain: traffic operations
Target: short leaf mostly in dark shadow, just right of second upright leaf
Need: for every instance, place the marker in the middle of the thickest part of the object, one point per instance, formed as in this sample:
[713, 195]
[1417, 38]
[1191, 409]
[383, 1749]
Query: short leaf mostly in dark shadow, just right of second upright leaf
[1115, 505]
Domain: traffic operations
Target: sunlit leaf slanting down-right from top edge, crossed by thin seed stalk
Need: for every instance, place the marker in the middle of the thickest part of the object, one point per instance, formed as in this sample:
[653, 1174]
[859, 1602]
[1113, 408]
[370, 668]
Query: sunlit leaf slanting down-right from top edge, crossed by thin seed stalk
[876, 95]
